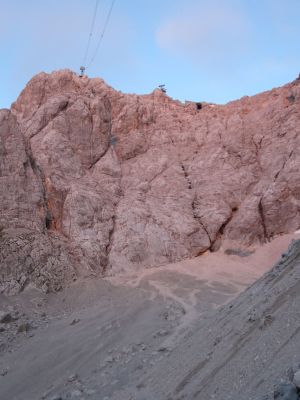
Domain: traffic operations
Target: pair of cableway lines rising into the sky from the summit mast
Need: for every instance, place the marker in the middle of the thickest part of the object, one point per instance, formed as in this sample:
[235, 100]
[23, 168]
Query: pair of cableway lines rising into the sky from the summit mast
[86, 65]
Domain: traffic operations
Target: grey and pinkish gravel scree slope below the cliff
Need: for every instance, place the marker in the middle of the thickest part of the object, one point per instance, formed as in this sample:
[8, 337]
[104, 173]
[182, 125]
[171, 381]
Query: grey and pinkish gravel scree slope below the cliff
[178, 332]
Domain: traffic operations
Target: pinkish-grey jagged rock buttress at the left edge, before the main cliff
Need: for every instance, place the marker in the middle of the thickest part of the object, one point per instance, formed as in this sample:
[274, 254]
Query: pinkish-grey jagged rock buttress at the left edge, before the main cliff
[25, 250]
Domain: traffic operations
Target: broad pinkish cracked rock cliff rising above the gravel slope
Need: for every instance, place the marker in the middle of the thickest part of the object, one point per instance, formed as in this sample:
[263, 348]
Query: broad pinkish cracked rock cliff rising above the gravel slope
[97, 180]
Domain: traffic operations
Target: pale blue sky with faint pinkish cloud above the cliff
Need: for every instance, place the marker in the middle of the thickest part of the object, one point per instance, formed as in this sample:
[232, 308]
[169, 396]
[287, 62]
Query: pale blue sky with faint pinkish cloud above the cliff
[202, 50]
